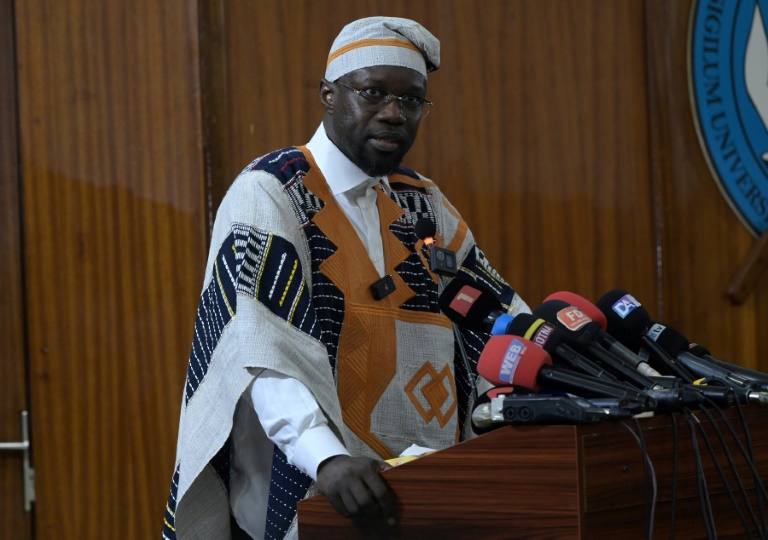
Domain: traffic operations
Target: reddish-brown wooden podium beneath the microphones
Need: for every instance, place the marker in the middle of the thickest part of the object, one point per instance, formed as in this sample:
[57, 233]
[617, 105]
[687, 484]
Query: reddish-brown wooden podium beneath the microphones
[565, 482]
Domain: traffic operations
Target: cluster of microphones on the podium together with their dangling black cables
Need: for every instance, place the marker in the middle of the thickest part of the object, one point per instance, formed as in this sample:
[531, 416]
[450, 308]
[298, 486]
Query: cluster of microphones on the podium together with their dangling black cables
[572, 361]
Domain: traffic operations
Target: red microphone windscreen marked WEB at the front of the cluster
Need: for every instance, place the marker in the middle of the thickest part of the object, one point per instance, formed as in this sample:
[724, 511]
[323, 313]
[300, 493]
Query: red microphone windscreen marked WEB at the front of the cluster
[512, 360]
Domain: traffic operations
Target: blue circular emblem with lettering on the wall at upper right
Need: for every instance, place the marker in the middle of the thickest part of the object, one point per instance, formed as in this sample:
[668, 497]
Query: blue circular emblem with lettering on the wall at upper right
[728, 73]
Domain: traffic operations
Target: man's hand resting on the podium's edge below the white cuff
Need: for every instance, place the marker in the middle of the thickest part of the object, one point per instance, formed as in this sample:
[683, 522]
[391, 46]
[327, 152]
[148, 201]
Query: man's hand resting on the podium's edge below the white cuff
[354, 487]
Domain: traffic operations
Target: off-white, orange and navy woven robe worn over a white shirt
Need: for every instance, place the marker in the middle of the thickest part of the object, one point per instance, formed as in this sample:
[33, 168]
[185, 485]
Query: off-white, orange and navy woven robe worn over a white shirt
[287, 288]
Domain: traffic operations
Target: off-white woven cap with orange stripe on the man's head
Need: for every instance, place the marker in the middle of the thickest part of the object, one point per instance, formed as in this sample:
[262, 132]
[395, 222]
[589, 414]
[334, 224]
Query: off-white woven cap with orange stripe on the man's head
[383, 41]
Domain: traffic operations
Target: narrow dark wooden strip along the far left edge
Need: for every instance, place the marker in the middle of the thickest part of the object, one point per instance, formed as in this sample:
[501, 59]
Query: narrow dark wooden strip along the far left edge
[13, 392]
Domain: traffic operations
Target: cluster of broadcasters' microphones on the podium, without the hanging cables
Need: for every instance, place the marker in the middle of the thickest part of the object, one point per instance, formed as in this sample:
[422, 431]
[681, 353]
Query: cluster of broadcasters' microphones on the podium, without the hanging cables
[576, 353]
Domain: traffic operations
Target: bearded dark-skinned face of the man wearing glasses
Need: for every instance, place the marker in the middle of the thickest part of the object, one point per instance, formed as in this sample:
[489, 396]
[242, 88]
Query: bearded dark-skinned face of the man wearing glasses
[375, 137]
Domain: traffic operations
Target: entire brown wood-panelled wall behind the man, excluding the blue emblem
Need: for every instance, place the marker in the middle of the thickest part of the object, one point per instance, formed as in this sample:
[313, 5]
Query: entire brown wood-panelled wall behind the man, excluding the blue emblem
[562, 131]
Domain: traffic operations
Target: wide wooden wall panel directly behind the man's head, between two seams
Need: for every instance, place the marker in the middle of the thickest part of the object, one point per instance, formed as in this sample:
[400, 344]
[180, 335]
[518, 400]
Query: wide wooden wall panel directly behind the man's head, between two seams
[539, 134]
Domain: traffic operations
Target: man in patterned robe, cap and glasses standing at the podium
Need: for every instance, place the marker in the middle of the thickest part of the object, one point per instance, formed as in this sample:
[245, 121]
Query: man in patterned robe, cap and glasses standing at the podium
[320, 349]
